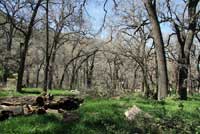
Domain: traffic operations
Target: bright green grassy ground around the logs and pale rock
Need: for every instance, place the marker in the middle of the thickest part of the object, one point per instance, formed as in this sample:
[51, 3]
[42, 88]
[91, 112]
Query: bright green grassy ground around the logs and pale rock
[106, 116]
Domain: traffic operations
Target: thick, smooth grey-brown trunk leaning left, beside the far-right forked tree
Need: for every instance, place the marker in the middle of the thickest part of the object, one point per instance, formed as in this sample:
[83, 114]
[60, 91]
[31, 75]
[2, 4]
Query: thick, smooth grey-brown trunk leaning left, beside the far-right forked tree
[159, 45]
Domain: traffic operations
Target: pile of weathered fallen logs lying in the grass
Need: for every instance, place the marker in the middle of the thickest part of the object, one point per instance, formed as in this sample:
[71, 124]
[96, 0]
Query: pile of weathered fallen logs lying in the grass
[41, 105]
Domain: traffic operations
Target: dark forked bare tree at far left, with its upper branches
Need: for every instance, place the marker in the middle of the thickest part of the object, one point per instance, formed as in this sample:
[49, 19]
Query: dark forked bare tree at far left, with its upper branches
[21, 25]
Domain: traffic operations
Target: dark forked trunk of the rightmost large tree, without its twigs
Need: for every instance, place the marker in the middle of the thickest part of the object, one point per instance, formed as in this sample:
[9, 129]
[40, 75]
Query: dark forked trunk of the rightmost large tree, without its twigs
[185, 47]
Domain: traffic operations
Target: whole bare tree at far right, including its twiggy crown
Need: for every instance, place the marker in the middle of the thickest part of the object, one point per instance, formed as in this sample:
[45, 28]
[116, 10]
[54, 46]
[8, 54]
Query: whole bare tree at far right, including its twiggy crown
[185, 33]
